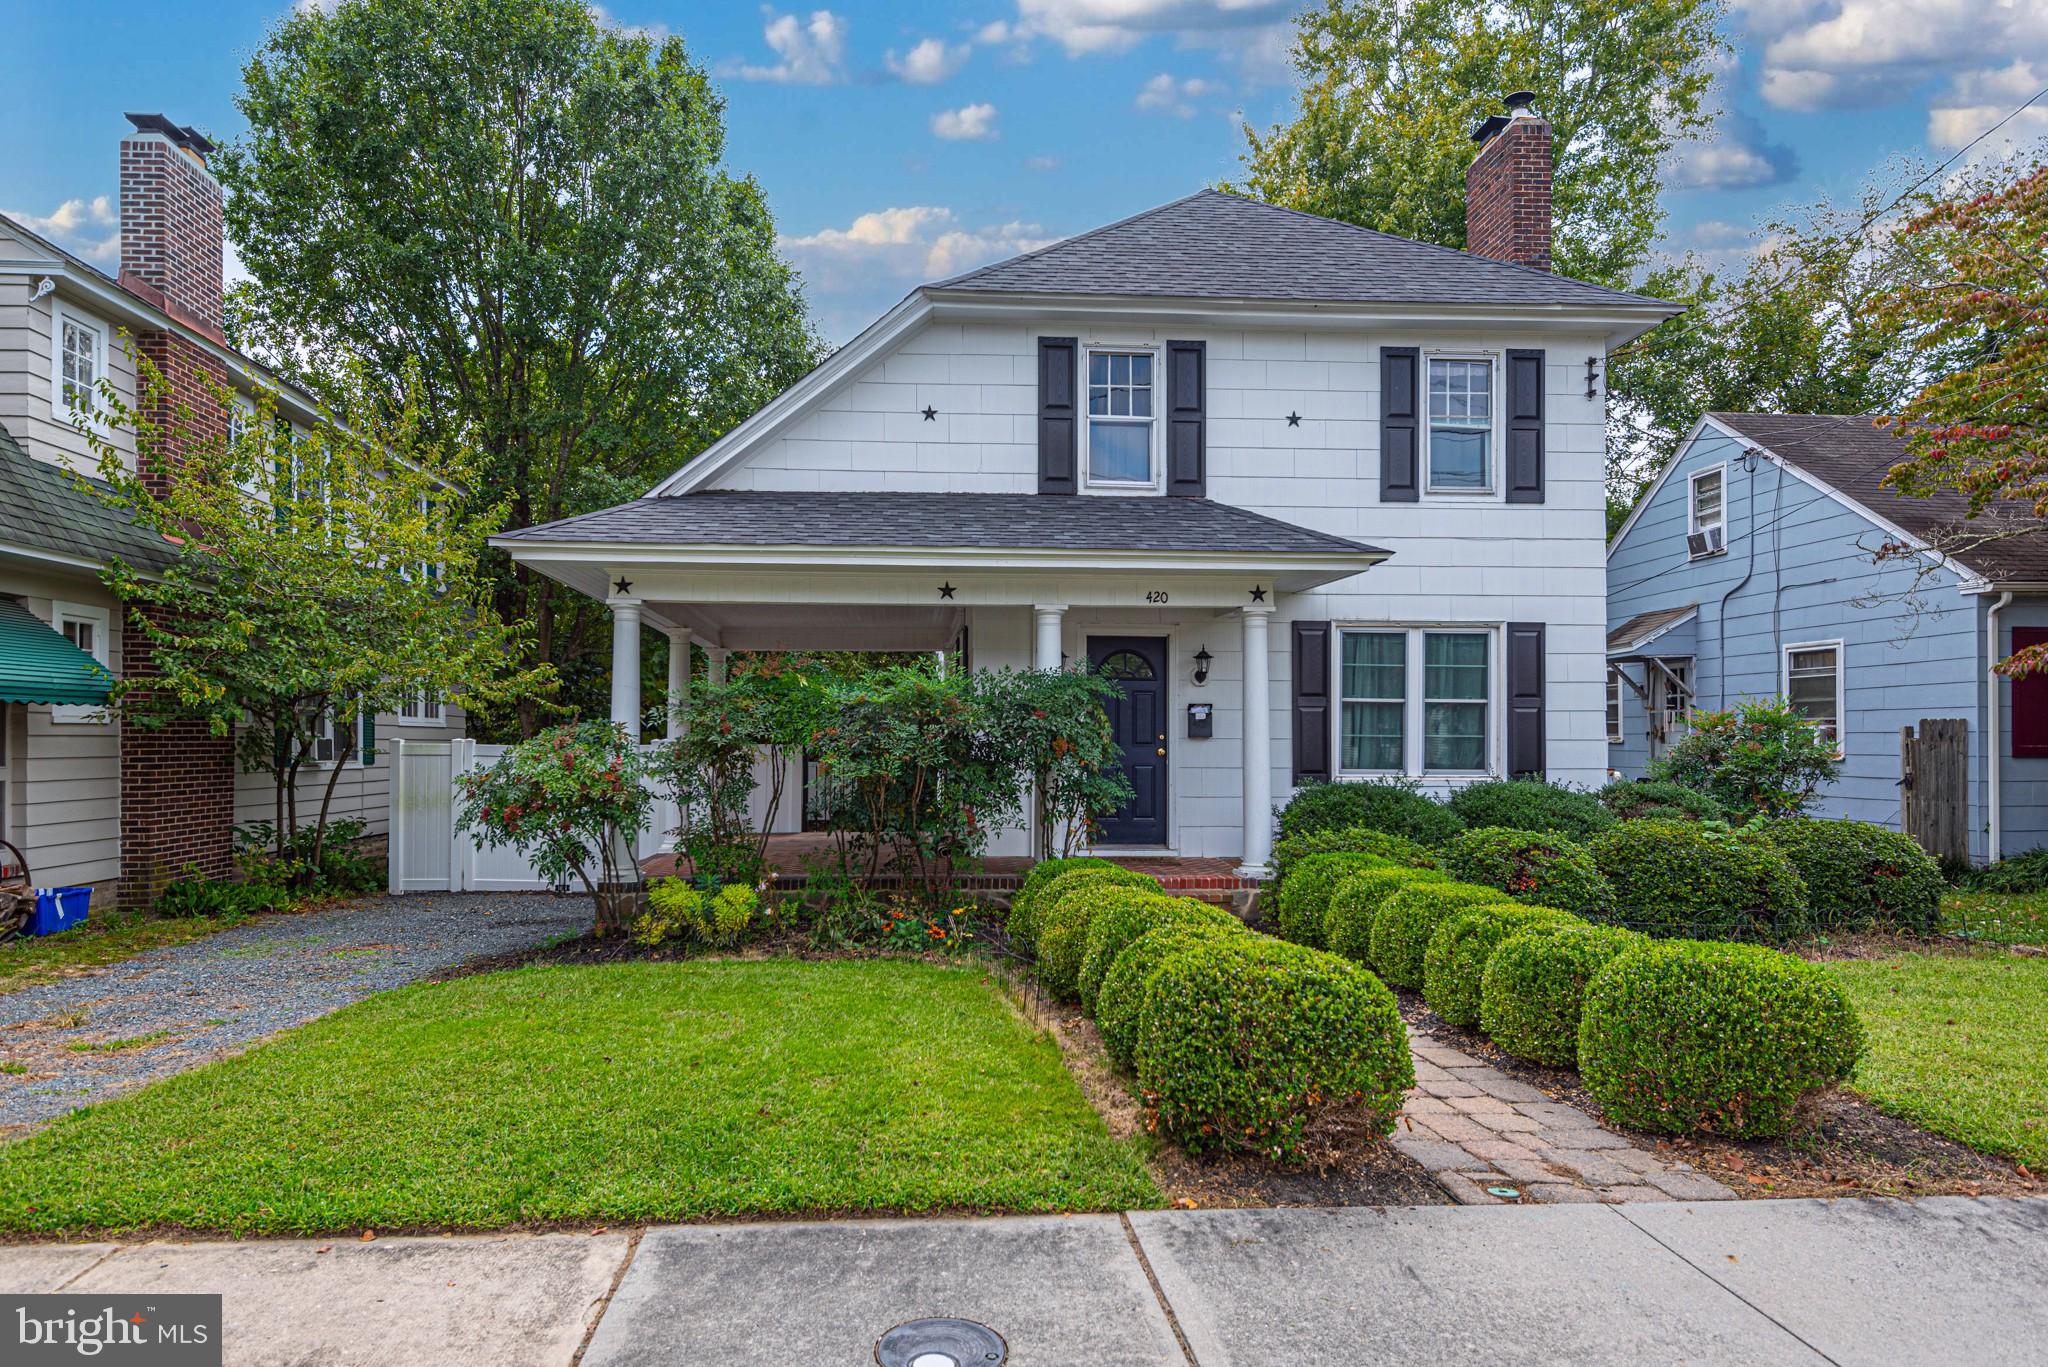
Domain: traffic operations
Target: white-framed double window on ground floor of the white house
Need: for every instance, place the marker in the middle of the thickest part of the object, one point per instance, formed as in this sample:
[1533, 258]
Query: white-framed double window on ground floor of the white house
[1416, 700]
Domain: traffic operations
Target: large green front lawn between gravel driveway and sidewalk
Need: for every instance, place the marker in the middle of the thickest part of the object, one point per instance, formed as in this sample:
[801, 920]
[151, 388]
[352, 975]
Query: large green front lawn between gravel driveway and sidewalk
[622, 1093]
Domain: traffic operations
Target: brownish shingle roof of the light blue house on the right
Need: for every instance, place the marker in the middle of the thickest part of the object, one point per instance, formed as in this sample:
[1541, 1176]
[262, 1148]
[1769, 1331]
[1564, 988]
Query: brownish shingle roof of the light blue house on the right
[1852, 456]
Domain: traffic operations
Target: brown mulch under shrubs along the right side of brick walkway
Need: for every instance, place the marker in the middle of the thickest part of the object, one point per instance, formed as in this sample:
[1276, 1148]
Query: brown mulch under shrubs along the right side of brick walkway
[1840, 1145]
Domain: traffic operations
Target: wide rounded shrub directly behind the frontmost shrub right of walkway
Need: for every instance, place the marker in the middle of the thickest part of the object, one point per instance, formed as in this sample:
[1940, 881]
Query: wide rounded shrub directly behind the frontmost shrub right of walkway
[1701, 882]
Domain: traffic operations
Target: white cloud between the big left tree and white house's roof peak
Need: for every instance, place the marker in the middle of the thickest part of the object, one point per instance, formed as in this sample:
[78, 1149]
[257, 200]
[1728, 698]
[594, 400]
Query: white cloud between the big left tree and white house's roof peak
[921, 243]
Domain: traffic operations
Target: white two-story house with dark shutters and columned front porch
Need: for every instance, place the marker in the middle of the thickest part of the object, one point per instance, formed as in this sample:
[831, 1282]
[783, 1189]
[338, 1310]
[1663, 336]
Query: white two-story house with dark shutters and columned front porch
[1338, 491]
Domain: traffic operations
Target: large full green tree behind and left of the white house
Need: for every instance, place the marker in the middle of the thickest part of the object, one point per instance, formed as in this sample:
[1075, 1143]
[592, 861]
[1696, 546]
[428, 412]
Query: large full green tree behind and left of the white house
[534, 208]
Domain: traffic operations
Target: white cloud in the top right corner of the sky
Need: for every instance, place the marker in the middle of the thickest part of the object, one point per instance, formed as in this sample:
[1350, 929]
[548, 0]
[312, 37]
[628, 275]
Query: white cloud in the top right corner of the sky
[1830, 54]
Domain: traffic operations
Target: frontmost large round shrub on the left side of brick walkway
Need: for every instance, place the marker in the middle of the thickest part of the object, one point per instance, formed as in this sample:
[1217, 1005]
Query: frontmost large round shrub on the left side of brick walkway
[1244, 1040]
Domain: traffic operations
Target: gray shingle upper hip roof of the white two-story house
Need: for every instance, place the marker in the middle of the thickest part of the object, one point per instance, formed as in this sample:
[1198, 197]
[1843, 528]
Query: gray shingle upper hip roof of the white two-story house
[1228, 247]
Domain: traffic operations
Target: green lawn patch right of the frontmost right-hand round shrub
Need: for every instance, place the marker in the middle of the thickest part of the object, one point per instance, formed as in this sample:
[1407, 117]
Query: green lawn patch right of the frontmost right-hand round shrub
[1959, 1044]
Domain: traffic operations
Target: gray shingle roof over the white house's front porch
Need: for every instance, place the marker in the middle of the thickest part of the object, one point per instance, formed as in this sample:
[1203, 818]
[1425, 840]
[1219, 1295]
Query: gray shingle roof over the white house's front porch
[1011, 522]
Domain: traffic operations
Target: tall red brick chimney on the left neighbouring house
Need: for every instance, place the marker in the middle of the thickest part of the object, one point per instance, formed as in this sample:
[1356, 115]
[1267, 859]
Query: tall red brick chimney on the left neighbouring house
[177, 782]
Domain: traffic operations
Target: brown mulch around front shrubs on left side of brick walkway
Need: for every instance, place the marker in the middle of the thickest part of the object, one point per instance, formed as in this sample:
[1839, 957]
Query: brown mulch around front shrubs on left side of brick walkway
[1345, 1163]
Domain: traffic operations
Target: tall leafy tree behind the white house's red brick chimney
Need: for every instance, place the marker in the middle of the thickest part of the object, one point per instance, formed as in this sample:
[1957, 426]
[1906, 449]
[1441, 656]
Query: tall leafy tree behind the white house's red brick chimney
[1390, 97]
